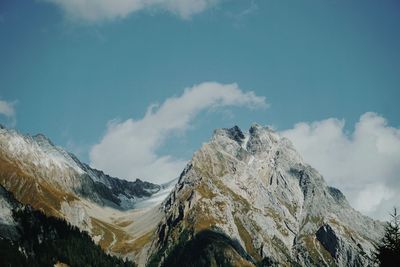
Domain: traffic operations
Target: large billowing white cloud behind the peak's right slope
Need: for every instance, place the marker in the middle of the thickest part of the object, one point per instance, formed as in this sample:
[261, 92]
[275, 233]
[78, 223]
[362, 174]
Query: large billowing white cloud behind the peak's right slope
[365, 164]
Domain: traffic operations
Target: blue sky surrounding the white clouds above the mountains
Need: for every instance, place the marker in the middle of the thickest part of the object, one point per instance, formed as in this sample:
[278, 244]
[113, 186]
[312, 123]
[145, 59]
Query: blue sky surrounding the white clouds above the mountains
[67, 73]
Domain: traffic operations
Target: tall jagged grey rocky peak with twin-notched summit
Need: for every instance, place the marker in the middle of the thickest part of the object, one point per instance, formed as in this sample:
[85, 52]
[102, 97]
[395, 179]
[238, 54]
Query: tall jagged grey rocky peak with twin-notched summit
[263, 205]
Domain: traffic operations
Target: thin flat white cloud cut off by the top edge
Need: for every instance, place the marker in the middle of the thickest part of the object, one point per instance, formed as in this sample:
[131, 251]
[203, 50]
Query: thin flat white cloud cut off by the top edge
[97, 10]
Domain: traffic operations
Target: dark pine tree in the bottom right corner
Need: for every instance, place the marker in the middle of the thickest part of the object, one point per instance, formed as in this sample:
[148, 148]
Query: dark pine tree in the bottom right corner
[388, 251]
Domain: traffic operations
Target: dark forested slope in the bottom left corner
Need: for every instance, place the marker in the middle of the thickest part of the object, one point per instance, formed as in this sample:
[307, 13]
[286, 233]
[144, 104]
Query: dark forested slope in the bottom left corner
[44, 241]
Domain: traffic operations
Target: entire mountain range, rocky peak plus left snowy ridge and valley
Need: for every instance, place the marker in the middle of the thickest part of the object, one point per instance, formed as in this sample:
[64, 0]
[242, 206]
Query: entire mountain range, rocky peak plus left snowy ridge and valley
[244, 199]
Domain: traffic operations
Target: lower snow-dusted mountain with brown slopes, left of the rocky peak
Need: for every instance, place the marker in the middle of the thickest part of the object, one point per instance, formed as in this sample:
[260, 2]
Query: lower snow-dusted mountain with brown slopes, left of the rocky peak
[51, 180]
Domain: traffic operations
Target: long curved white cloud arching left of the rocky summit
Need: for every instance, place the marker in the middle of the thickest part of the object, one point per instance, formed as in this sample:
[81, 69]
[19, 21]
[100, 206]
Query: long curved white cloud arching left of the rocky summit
[128, 148]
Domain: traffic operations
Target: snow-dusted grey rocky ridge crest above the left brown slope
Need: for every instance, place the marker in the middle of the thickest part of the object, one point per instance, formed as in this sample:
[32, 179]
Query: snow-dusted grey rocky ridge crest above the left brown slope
[77, 176]
